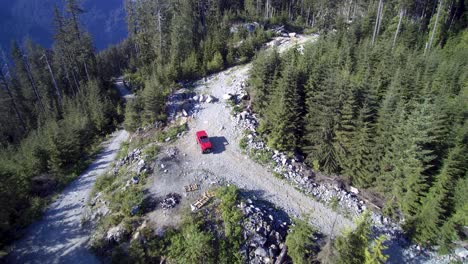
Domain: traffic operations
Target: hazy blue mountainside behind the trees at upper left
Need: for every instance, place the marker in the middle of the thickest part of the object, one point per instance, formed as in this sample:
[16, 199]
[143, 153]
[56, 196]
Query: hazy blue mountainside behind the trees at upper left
[105, 20]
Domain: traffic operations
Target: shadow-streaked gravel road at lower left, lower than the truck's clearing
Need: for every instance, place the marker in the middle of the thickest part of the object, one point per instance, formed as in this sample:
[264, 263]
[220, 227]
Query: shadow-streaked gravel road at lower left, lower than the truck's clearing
[59, 237]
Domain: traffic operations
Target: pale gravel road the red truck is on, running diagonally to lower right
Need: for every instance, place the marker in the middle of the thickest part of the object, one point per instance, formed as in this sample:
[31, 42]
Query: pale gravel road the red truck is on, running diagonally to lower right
[228, 162]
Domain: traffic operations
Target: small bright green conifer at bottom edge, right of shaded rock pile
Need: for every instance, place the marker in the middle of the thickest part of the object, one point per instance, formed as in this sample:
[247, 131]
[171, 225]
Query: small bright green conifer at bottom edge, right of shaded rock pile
[300, 242]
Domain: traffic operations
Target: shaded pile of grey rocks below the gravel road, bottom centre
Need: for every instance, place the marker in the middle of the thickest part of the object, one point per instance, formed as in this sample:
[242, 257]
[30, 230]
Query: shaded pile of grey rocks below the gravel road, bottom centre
[264, 232]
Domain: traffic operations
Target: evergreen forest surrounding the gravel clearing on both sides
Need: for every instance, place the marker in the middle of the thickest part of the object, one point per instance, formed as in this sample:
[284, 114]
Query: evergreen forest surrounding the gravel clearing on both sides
[379, 101]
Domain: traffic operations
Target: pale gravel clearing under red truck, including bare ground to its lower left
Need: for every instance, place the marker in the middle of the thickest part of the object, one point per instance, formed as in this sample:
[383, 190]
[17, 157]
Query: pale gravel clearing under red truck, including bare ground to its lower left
[227, 163]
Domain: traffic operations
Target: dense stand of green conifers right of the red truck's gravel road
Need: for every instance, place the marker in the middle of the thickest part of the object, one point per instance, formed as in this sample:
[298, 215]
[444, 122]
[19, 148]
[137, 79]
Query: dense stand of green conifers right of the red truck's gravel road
[382, 116]
